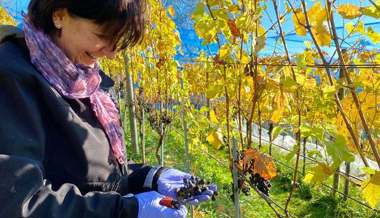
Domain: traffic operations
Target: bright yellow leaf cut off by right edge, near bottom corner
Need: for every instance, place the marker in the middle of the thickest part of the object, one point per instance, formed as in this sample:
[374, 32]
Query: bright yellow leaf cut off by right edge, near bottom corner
[371, 190]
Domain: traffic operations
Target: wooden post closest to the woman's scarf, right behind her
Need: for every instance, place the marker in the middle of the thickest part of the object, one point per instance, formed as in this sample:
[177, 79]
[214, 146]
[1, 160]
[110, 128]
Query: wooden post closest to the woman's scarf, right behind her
[131, 108]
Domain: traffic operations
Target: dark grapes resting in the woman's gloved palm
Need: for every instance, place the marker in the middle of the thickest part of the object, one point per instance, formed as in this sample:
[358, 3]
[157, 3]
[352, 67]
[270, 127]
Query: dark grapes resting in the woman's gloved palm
[193, 186]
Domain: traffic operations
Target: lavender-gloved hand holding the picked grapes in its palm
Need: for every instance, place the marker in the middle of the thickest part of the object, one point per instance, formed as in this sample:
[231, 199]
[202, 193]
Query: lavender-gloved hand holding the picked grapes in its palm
[171, 180]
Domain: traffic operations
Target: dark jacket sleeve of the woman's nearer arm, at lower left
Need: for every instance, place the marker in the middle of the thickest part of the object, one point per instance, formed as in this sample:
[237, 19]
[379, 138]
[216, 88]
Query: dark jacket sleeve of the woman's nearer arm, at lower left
[24, 191]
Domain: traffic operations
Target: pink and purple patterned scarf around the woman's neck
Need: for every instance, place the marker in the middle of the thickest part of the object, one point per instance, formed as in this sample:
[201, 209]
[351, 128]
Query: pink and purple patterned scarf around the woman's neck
[75, 81]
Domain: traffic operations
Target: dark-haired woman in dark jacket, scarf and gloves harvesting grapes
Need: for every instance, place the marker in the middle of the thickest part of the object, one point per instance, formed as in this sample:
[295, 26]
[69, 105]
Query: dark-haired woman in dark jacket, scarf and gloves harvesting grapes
[61, 143]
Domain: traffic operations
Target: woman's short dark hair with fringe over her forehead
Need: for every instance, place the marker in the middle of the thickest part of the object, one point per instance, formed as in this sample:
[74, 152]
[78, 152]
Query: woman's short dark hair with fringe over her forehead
[122, 21]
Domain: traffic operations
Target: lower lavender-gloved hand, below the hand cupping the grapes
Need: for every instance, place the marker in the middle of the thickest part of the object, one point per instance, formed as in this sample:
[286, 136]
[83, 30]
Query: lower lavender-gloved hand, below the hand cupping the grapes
[149, 206]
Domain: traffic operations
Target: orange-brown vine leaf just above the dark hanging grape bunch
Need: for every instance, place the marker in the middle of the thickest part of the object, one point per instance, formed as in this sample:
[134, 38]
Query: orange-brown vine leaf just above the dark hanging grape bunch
[257, 162]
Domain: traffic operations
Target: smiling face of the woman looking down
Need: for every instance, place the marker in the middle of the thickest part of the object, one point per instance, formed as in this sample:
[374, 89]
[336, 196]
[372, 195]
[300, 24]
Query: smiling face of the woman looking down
[81, 39]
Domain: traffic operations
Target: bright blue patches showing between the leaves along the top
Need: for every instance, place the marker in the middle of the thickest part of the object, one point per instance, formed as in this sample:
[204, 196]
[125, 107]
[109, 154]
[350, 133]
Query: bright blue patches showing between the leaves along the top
[192, 44]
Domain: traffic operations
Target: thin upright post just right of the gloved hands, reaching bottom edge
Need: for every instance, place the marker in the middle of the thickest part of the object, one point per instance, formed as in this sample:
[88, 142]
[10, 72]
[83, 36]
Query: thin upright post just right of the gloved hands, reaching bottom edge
[235, 178]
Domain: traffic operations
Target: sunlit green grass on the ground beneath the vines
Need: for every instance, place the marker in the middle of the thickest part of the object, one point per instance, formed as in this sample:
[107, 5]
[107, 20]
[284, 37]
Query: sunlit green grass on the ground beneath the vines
[307, 201]
